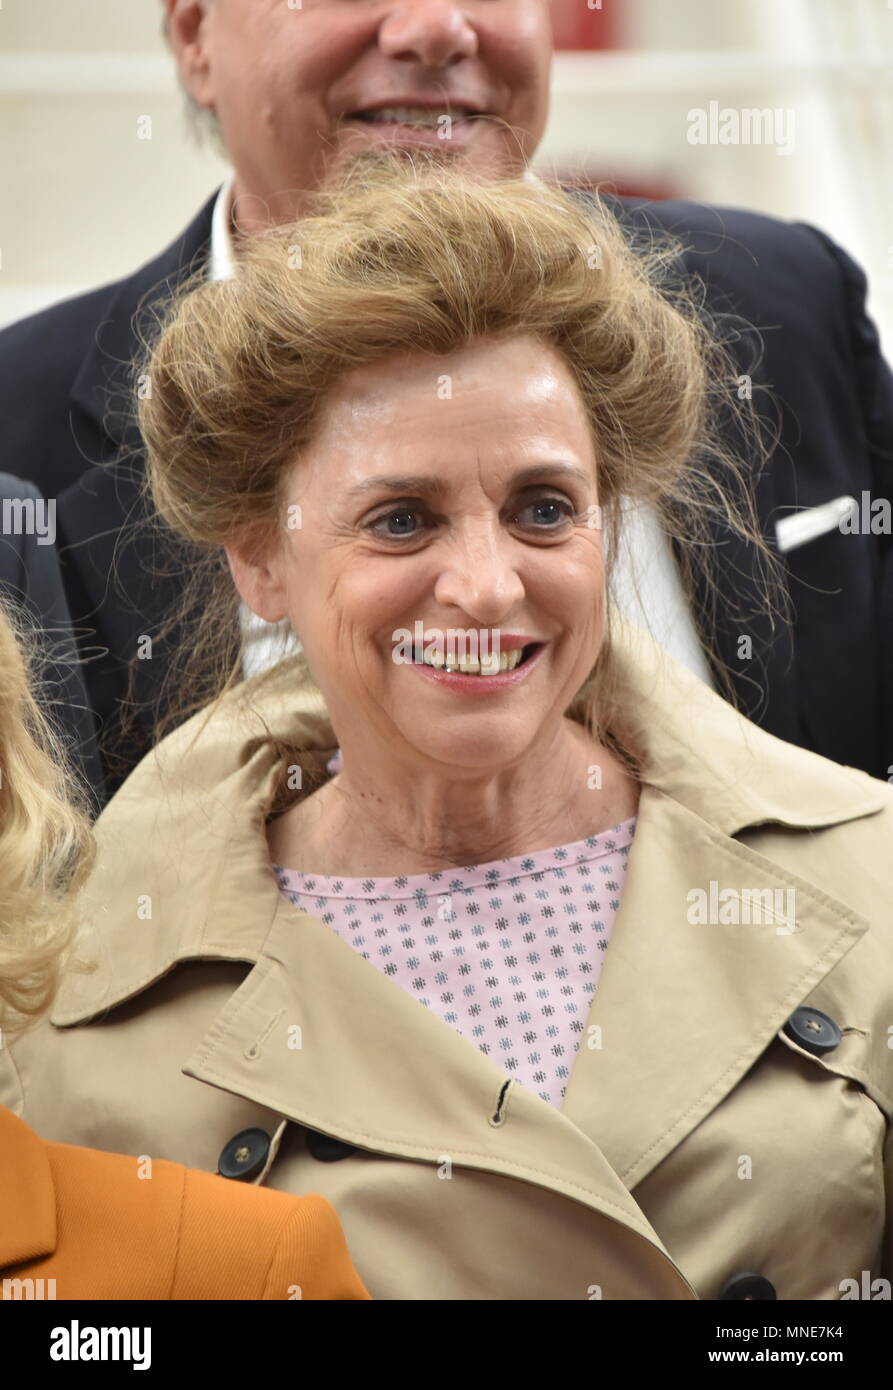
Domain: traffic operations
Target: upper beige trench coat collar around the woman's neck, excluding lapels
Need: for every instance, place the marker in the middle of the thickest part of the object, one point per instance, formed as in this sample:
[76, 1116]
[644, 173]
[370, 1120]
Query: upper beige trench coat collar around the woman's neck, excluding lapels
[183, 853]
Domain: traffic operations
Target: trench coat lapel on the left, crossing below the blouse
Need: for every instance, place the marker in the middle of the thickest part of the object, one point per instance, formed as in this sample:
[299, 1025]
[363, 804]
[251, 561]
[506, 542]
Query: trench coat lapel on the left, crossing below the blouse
[373, 1067]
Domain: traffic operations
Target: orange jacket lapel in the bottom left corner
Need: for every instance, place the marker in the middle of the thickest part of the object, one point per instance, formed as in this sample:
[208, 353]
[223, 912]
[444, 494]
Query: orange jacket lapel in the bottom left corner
[27, 1195]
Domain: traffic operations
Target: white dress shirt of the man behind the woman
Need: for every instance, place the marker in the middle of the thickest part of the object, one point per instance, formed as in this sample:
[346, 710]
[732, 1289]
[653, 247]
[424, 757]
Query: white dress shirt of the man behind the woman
[646, 583]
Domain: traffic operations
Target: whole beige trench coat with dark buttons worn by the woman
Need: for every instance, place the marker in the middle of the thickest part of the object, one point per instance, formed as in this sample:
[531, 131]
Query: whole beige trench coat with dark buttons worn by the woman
[699, 1140]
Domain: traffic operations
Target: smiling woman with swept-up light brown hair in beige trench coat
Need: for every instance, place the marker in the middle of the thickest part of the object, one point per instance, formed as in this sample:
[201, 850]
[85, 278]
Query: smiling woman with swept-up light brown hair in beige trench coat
[458, 988]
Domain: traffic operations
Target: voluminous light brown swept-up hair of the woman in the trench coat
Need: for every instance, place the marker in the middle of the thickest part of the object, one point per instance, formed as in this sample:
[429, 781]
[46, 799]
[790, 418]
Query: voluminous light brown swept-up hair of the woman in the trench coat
[405, 256]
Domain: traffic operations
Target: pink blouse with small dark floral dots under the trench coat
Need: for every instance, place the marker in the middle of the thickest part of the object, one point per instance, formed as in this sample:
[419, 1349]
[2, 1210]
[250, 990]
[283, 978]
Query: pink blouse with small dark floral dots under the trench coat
[507, 953]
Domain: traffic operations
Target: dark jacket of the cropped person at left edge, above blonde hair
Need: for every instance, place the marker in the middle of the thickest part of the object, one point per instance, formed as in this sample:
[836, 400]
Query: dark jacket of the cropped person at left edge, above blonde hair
[31, 584]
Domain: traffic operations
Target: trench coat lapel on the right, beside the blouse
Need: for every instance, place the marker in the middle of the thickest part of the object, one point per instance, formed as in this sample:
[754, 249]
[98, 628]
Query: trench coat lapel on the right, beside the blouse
[685, 1008]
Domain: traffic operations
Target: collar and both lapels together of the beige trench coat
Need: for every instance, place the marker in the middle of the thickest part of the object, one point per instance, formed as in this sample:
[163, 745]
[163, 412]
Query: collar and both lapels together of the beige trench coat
[632, 1097]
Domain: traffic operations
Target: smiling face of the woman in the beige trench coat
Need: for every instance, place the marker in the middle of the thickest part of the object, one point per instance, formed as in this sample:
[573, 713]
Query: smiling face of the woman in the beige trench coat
[458, 493]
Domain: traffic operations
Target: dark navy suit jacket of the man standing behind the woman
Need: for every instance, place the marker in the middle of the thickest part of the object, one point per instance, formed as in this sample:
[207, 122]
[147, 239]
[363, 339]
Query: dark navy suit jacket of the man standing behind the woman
[826, 683]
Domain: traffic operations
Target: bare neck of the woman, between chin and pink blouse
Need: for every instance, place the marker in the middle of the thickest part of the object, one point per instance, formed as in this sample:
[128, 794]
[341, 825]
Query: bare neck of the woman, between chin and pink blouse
[355, 828]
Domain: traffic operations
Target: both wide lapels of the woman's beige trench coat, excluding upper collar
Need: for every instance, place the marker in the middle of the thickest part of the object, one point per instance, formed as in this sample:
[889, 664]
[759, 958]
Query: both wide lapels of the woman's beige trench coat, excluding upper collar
[682, 1011]
